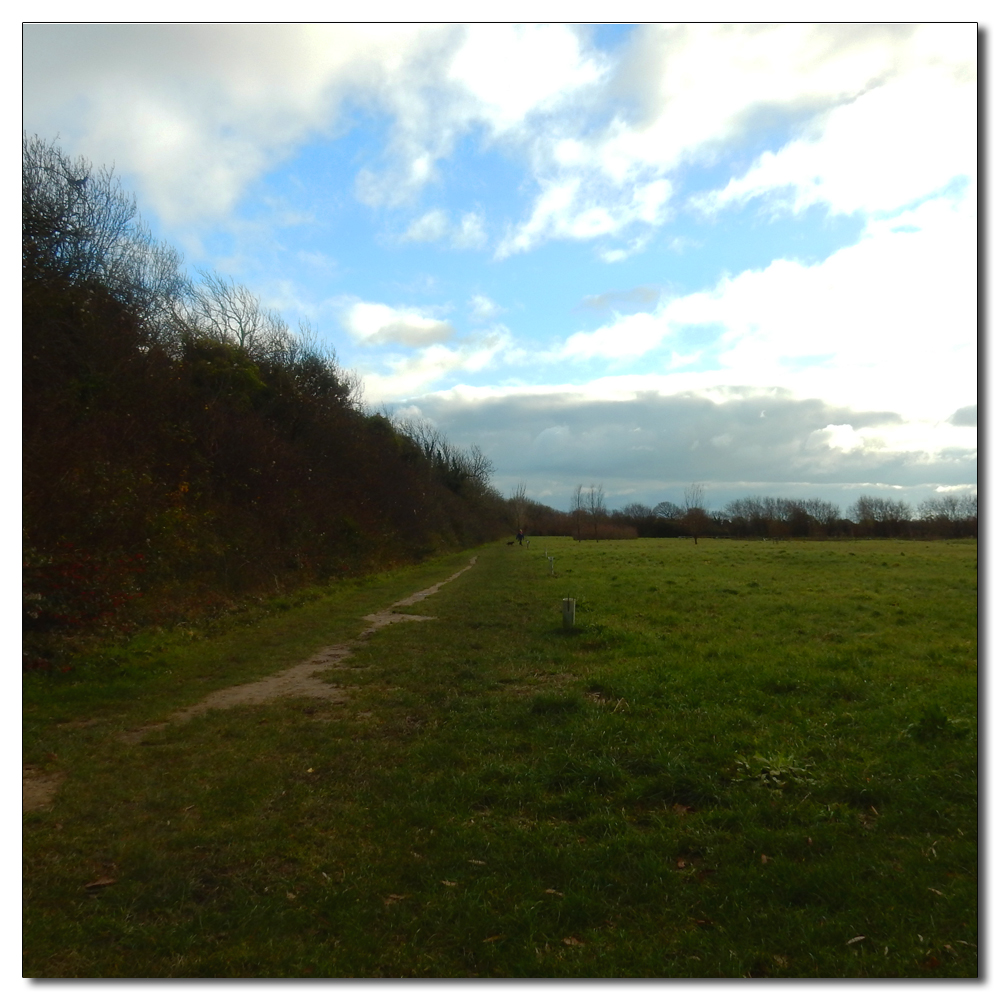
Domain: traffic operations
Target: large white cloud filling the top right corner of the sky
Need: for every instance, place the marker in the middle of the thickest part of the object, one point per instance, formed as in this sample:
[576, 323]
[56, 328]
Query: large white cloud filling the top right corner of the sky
[876, 100]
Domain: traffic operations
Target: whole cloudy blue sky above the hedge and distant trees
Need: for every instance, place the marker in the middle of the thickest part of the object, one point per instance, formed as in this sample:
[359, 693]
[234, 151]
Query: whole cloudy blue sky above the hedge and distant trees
[641, 256]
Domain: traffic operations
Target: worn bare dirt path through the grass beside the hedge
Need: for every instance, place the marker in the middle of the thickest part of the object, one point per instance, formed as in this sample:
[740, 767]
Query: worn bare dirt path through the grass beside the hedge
[39, 788]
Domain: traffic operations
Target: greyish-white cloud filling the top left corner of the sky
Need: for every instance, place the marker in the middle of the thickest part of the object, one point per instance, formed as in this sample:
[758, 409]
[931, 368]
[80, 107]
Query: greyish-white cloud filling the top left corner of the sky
[193, 112]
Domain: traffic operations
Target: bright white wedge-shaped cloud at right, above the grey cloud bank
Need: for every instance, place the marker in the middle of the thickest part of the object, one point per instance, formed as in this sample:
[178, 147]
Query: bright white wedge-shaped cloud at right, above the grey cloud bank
[901, 301]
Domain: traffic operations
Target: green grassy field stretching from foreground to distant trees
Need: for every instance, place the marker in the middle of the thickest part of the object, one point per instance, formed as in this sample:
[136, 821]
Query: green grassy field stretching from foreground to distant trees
[745, 760]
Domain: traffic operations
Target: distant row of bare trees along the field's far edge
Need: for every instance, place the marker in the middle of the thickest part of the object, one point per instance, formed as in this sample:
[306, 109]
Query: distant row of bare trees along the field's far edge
[950, 515]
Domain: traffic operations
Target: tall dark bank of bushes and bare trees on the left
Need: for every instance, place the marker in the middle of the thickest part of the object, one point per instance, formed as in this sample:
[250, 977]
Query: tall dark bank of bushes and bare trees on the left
[182, 445]
